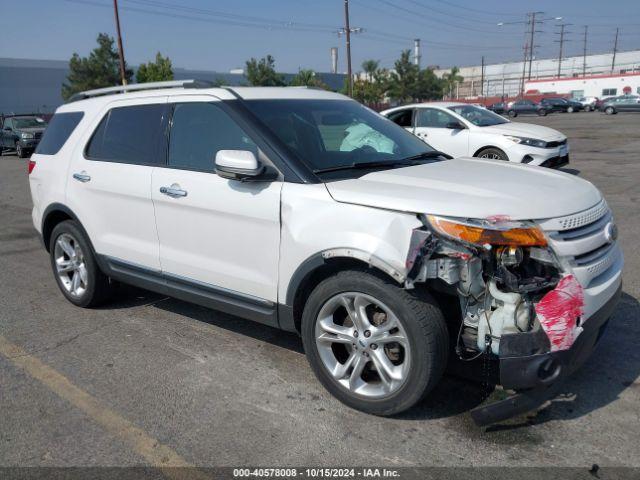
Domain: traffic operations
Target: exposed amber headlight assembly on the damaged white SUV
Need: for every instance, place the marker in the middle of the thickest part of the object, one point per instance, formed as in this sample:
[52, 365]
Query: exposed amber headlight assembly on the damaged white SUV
[496, 232]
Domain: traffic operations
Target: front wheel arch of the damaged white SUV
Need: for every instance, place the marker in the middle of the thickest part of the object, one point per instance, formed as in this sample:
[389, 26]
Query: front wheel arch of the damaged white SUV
[321, 266]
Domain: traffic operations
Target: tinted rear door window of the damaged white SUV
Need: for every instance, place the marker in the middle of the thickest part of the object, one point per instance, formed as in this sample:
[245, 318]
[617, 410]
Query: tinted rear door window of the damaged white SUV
[130, 135]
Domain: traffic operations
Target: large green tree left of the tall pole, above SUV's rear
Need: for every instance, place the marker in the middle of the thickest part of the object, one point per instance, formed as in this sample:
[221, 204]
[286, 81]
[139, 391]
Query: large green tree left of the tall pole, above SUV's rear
[100, 69]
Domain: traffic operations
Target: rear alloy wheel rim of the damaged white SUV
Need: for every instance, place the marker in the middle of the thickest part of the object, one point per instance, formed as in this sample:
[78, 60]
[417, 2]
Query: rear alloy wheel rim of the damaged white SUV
[70, 265]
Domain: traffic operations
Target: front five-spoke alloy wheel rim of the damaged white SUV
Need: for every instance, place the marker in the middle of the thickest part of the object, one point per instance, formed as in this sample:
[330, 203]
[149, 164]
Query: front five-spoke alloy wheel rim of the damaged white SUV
[363, 345]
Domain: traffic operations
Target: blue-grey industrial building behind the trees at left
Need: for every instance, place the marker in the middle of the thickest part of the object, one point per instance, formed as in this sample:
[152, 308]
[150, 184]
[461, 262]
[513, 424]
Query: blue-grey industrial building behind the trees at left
[34, 86]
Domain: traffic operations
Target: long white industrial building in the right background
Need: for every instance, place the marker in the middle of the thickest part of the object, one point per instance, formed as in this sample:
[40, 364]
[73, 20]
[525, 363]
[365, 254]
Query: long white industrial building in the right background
[593, 74]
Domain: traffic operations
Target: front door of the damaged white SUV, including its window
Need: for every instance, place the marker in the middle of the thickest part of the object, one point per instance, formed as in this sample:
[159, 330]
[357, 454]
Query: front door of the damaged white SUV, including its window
[220, 237]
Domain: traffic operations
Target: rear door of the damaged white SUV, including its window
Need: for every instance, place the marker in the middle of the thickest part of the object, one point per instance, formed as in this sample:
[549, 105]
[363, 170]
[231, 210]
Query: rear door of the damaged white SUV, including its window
[109, 180]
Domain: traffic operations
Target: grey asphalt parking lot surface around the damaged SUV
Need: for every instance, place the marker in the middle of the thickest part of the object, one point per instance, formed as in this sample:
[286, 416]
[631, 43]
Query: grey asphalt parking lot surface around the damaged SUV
[154, 380]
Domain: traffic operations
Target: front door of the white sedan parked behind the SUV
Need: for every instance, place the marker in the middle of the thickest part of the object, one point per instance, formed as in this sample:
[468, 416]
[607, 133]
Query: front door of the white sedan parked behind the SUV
[435, 126]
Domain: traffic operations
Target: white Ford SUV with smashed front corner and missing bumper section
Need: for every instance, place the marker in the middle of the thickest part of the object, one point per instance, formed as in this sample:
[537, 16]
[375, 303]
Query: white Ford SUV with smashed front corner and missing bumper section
[303, 210]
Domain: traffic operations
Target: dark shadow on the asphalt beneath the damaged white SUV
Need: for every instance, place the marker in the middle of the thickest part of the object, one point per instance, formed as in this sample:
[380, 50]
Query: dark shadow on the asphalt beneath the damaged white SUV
[613, 367]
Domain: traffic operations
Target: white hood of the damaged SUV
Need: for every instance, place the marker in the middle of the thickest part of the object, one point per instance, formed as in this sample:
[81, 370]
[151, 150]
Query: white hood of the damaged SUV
[471, 188]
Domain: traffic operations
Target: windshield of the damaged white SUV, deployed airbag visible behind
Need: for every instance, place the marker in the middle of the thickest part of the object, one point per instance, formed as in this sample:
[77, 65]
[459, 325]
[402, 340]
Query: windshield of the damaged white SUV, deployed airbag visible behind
[326, 134]
